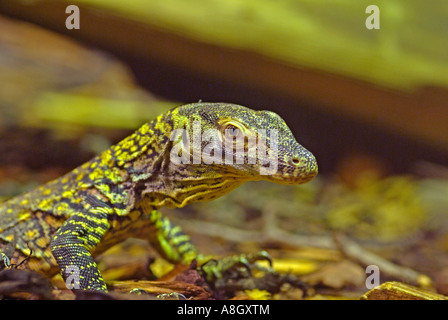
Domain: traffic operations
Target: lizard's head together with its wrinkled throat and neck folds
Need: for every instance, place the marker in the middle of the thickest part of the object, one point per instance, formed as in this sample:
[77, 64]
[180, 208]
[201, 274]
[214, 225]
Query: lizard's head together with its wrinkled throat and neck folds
[206, 150]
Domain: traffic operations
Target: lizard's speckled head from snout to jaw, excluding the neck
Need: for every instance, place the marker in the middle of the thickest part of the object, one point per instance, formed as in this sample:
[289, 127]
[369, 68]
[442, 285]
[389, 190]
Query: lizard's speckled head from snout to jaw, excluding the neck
[241, 143]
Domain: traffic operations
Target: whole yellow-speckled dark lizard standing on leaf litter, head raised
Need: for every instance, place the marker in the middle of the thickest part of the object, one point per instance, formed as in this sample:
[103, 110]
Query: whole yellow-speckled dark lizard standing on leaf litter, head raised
[70, 220]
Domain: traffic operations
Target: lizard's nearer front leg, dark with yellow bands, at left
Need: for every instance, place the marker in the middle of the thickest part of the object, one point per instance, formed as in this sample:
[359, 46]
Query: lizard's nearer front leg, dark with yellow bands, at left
[72, 246]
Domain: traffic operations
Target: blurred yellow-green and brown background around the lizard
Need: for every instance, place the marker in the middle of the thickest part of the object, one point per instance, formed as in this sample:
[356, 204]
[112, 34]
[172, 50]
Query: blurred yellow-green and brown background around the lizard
[372, 105]
